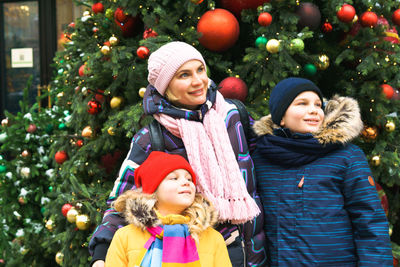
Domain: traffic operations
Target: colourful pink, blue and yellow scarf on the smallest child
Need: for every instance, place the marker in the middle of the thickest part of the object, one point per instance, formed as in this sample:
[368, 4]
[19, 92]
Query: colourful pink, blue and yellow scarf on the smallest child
[170, 245]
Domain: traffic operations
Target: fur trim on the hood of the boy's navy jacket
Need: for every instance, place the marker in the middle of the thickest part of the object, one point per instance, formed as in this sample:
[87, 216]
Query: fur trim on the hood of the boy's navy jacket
[342, 122]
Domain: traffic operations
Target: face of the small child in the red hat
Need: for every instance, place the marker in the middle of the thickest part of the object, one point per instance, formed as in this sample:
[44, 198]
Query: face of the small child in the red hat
[175, 193]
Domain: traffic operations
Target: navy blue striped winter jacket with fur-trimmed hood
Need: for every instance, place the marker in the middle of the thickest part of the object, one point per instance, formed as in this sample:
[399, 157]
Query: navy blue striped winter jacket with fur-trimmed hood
[321, 206]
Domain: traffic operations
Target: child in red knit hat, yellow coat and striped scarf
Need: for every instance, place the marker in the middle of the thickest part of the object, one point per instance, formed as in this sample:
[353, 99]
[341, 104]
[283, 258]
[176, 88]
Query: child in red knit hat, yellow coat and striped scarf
[168, 223]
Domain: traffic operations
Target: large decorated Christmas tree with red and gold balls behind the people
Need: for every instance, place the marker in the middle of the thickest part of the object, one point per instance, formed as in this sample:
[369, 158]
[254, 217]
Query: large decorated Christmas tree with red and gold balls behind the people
[347, 48]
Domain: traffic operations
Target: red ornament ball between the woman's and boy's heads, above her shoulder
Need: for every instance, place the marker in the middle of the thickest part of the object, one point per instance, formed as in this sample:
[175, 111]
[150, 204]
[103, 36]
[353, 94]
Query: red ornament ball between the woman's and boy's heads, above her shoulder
[233, 87]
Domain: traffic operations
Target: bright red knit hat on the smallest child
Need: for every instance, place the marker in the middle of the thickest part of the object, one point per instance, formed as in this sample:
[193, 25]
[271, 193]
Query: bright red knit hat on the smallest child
[156, 167]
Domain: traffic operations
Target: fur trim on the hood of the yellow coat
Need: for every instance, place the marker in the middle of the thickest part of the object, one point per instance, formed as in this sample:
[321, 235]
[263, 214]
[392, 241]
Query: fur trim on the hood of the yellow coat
[138, 209]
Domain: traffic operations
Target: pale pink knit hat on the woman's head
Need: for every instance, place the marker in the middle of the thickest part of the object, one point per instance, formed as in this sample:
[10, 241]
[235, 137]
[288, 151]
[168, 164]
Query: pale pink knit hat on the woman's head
[165, 61]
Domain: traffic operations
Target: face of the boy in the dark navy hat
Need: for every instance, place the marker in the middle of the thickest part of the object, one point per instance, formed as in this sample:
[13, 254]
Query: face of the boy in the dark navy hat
[305, 114]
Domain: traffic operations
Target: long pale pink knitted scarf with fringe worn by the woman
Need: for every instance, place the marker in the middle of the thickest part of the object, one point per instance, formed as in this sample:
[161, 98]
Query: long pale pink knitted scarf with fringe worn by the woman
[211, 156]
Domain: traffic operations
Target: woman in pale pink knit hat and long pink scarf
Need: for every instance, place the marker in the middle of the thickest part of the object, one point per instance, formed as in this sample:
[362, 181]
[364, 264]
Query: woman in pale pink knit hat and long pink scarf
[205, 129]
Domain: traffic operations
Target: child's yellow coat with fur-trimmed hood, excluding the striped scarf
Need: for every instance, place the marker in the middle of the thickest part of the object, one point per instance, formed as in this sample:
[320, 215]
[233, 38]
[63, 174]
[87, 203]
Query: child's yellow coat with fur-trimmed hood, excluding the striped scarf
[138, 211]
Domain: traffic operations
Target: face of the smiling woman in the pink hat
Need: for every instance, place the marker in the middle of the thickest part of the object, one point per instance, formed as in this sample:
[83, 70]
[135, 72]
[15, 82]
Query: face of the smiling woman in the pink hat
[188, 87]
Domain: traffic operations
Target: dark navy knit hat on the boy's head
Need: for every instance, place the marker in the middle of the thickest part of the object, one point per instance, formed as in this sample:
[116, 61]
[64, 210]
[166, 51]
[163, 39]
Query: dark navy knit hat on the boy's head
[285, 92]
